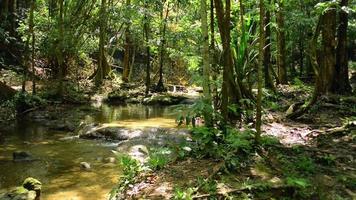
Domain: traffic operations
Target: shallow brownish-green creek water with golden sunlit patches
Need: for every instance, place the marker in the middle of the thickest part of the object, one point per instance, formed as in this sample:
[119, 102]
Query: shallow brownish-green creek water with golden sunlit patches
[58, 164]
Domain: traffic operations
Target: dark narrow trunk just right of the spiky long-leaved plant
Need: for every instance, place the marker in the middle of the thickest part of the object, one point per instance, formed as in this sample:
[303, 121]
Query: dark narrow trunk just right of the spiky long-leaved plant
[267, 51]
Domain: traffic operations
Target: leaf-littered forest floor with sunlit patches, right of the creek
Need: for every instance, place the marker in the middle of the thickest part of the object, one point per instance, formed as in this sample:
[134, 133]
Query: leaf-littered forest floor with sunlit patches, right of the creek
[314, 159]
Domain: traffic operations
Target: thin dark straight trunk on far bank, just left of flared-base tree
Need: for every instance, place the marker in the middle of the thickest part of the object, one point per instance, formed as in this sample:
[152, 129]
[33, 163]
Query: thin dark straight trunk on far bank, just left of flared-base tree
[146, 28]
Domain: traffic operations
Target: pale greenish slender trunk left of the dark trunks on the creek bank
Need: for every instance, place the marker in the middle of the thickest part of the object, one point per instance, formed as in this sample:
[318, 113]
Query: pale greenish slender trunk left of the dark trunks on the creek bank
[206, 62]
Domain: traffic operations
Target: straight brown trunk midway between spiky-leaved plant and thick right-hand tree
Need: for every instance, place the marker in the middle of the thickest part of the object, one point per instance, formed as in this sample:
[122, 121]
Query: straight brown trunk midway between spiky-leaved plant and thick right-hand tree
[281, 45]
